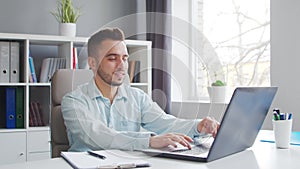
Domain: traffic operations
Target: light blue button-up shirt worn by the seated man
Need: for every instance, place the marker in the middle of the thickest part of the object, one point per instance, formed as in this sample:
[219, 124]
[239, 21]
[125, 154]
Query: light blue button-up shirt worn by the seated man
[93, 123]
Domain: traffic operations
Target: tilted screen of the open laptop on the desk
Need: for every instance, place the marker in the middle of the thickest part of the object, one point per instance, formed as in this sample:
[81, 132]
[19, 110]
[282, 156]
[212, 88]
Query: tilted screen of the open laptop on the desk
[242, 120]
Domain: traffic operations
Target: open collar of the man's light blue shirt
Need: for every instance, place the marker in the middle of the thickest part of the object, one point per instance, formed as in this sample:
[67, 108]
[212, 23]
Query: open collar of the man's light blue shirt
[94, 92]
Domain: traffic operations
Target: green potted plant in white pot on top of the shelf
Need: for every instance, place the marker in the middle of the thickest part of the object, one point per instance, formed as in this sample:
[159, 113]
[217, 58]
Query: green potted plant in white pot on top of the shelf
[67, 17]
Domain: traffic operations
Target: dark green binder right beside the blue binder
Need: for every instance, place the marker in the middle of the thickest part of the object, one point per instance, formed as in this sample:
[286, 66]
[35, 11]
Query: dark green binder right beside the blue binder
[19, 107]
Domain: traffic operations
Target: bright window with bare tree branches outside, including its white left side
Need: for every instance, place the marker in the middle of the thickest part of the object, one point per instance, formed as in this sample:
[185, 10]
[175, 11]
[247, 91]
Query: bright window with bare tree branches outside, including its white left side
[227, 40]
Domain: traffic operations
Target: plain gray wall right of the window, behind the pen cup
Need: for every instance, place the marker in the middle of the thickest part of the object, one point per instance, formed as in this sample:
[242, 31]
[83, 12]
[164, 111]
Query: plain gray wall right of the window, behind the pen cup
[285, 56]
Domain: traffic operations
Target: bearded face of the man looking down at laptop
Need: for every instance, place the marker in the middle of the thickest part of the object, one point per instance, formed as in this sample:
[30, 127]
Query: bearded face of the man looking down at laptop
[112, 62]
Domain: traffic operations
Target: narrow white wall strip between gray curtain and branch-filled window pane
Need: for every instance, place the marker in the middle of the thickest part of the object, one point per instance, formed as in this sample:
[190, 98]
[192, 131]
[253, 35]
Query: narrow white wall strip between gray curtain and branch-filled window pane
[181, 68]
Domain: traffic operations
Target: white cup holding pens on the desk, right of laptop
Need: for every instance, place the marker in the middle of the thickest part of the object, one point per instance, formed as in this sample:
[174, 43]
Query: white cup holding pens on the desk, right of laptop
[282, 132]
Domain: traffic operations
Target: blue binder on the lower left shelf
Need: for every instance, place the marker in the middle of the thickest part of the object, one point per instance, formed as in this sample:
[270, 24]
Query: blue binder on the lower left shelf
[10, 107]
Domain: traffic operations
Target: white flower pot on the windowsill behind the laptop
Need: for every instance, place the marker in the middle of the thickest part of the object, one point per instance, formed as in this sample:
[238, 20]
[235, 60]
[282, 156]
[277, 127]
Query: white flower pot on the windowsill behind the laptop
[218, 94]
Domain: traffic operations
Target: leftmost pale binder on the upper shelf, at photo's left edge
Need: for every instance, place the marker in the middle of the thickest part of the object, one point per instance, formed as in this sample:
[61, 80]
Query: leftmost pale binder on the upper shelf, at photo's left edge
[4, 62]
